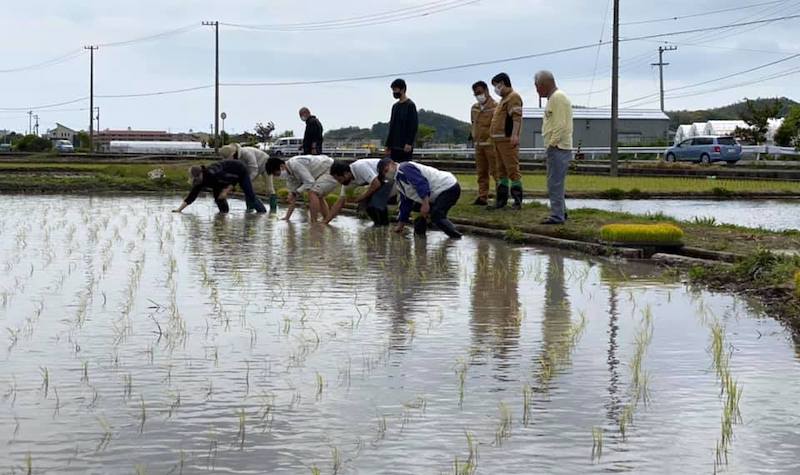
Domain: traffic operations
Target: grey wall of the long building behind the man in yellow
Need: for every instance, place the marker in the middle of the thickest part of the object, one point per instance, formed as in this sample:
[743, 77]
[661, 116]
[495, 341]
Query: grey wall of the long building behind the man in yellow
[596, 132]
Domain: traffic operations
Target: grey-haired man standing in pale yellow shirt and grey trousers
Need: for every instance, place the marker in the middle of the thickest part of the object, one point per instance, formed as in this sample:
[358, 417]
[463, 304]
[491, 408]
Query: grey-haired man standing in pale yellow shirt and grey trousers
[557, 134]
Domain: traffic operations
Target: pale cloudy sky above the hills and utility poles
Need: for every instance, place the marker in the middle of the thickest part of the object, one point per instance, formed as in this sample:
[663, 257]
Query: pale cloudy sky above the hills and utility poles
[280, 41]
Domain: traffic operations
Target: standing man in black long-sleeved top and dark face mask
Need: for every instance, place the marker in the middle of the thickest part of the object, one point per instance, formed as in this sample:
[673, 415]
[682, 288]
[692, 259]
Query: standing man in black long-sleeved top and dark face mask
[403, 125]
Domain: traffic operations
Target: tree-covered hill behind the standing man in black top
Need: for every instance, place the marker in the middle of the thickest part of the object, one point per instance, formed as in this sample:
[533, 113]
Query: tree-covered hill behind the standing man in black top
[448, 129]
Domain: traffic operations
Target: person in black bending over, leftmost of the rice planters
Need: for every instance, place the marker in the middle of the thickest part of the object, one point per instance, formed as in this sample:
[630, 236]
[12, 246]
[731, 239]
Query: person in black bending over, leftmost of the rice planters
[220, 177]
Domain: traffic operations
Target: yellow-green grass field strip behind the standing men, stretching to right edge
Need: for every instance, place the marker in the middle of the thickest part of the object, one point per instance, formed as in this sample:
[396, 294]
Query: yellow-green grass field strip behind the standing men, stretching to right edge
[537, 183]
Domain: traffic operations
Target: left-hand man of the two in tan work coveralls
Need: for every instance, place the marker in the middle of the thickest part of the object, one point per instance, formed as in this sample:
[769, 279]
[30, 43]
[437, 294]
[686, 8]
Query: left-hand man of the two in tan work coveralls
[485, 156]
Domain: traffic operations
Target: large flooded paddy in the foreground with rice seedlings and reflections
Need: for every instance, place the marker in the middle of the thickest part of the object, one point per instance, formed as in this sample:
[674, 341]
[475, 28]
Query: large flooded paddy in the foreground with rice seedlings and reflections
[139, 340]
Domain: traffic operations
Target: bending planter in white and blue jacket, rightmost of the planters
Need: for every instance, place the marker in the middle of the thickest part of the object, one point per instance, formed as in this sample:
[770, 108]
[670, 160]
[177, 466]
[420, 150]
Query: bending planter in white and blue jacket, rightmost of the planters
[425, 189]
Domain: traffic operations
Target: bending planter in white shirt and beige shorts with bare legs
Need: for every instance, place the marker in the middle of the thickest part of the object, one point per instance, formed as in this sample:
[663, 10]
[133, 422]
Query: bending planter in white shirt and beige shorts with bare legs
[305, 173]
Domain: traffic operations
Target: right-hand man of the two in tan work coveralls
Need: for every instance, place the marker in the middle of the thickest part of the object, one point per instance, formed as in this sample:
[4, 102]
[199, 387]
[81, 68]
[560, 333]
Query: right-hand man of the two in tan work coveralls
[505, 133]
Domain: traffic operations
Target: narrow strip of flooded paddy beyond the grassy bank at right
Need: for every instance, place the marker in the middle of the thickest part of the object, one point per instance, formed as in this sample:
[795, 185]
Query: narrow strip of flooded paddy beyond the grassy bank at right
[775, 215]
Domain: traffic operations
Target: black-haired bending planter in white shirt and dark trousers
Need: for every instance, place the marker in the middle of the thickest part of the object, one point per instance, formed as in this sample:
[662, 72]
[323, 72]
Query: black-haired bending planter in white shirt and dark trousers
[374, 200]
